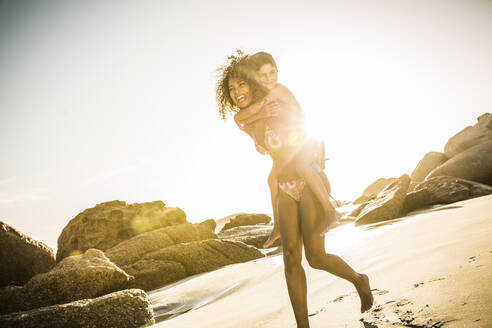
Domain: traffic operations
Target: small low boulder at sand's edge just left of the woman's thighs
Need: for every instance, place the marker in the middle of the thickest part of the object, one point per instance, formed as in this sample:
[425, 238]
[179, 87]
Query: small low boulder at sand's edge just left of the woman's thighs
[254, 235]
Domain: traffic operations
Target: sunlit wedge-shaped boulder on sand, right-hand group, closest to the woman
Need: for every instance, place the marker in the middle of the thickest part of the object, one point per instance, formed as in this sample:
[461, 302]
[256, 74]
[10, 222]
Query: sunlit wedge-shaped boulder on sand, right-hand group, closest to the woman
[387, 205]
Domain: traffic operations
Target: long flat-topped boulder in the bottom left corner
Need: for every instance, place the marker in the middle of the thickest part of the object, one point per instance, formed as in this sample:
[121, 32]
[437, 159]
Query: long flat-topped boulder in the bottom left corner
[127, 308]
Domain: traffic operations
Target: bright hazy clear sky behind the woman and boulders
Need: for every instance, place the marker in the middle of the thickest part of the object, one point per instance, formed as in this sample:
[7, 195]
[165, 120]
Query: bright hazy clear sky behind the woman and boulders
[104, 100]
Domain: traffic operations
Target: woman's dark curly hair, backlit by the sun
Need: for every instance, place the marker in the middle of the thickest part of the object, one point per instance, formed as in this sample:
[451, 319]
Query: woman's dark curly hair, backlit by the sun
[239, 66]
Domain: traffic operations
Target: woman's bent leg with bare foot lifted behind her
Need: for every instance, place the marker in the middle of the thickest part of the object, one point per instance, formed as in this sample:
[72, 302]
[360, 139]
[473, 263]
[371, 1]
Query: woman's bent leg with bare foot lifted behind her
[314, 246]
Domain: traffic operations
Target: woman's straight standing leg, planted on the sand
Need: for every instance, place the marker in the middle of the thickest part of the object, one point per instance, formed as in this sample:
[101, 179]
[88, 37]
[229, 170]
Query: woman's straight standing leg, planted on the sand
[290, 234]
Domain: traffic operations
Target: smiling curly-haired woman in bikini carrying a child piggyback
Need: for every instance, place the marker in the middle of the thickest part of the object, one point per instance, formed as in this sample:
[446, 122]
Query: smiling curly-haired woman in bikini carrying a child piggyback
[300, 219]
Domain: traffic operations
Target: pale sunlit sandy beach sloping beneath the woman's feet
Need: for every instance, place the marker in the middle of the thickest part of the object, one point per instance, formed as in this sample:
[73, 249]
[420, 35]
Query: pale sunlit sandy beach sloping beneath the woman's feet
[431, 268]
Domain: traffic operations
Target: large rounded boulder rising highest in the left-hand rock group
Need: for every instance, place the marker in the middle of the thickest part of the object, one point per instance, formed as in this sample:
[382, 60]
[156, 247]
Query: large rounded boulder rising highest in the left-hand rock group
[108, 224]
